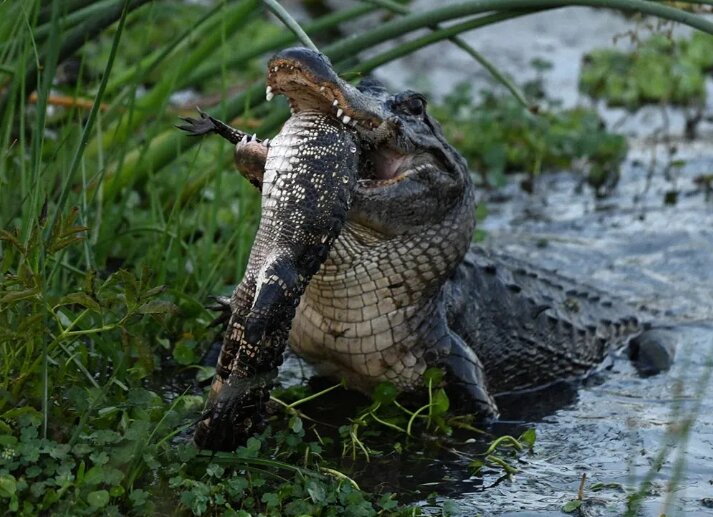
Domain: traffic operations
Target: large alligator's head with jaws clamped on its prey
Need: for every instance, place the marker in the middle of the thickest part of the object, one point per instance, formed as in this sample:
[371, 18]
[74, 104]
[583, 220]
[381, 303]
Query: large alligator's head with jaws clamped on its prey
[409, 174]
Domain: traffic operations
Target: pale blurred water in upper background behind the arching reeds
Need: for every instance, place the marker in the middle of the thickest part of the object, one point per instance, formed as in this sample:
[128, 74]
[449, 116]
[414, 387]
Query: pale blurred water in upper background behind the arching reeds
[560, 37]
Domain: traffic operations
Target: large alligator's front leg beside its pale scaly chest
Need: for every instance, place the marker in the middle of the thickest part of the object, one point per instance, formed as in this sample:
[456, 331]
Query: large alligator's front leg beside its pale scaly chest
[466, 380]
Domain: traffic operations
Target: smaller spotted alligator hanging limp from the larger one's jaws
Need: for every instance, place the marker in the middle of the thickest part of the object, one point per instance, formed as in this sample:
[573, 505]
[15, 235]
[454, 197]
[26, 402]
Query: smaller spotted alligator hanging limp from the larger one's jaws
[308, 174]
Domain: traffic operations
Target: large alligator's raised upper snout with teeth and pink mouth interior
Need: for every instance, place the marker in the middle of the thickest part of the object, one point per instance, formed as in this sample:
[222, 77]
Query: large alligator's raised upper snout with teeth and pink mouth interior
[310, 84]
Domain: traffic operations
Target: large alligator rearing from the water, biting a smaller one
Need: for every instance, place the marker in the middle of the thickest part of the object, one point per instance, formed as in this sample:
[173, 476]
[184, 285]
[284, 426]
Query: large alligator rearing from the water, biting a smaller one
[401, 288]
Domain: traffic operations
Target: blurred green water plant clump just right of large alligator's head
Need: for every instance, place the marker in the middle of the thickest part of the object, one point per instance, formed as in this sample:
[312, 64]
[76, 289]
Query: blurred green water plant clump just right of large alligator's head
[498, 137]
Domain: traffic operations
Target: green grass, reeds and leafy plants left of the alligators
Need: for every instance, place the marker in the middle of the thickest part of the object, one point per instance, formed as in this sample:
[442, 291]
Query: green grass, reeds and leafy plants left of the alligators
[115, 228]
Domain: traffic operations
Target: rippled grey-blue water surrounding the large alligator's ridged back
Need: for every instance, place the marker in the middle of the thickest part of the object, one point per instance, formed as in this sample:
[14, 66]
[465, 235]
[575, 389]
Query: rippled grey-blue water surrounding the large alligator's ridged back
[653, 254]
